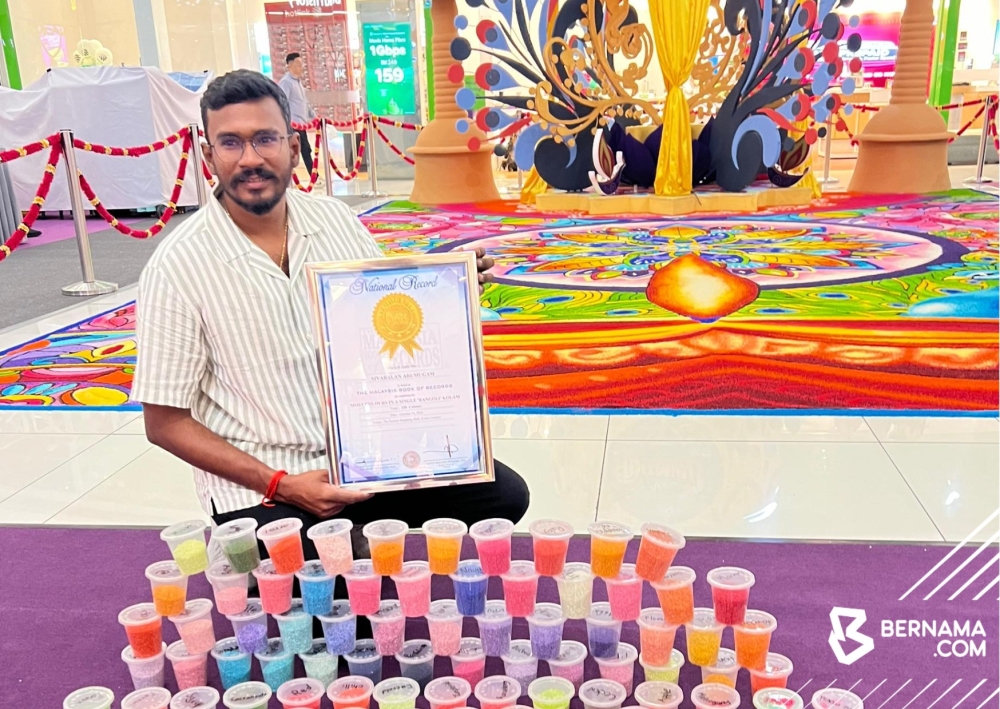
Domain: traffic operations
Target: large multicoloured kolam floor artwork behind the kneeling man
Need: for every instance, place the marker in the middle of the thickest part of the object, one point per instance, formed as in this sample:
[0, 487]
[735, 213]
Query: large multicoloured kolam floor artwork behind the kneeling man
[859, 304]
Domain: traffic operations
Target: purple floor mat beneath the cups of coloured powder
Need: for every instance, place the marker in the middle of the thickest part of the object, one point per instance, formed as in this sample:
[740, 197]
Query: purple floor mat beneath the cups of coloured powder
[61, 590]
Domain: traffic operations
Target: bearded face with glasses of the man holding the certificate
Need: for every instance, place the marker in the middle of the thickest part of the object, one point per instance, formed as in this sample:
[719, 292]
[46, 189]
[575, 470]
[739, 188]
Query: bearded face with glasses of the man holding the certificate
[255, 183]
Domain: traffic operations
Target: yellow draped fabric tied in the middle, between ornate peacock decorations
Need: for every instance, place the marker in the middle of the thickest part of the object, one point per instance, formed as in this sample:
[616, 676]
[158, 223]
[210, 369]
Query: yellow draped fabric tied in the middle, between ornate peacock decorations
[678, 28]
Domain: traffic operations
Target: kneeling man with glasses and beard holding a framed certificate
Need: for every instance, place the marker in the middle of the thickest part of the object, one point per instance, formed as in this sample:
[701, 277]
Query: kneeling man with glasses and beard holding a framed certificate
[227, 371]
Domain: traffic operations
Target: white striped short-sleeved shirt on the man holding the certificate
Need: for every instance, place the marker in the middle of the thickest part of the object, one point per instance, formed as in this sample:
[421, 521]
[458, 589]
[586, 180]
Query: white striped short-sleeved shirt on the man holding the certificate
[223, 332]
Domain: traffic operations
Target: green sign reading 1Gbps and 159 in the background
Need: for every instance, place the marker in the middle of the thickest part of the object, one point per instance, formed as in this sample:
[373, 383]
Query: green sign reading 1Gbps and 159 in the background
[389, 84]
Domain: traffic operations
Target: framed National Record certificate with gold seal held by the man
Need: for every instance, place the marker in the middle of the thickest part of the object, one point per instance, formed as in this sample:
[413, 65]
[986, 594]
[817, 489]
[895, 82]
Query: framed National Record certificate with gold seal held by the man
[403, 379]
